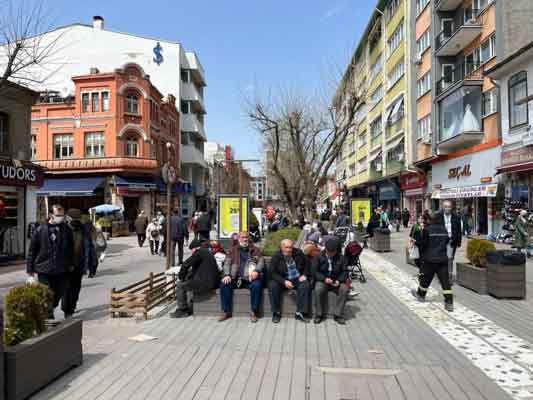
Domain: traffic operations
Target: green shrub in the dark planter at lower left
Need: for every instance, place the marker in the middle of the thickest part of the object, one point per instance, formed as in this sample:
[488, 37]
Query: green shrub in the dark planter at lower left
[26, 311]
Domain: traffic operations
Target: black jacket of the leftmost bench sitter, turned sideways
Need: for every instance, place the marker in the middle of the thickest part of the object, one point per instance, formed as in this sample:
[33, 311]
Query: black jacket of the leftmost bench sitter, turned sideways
[201, 270]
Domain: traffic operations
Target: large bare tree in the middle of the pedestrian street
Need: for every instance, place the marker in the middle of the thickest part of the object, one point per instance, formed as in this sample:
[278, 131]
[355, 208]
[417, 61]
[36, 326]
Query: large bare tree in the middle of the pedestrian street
[302, 139]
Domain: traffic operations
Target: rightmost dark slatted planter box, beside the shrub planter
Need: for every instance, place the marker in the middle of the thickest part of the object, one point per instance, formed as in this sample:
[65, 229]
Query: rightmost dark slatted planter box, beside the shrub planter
[507, 281]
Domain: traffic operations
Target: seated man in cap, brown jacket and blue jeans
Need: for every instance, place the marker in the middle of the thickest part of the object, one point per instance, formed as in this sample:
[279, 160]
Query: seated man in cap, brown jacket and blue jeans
[243, 269]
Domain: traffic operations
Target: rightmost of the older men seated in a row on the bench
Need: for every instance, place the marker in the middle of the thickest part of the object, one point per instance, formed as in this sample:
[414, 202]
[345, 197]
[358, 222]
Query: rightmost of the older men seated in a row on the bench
[329, 272]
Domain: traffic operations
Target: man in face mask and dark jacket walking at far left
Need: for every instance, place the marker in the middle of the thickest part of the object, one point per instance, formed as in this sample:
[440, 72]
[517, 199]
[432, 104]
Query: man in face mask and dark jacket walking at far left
[50, 255]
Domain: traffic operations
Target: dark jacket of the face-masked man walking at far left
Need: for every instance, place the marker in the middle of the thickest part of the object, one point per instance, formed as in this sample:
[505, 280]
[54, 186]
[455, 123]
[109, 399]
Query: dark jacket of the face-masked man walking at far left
[40, 258]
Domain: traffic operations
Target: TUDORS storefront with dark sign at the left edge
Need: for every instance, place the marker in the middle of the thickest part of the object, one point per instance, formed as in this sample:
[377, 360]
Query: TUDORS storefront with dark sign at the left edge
[18, 181]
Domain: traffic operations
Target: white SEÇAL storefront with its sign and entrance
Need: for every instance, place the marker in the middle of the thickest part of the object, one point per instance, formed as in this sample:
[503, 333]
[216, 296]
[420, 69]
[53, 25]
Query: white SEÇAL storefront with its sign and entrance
[471, 182]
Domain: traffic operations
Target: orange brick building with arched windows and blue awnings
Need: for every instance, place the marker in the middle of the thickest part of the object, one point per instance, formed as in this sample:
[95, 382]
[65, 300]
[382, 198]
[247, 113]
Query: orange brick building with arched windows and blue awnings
[107, 142]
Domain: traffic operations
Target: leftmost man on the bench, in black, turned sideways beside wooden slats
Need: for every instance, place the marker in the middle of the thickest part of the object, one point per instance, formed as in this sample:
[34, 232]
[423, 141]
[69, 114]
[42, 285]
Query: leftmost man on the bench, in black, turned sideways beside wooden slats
[199, 274]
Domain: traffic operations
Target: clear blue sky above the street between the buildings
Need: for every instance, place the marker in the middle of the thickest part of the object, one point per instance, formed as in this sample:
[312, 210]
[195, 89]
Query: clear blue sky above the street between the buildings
[241, 44]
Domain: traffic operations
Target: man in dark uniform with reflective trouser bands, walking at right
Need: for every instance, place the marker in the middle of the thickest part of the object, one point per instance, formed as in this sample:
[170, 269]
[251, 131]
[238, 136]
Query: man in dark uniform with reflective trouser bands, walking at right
[433, 246]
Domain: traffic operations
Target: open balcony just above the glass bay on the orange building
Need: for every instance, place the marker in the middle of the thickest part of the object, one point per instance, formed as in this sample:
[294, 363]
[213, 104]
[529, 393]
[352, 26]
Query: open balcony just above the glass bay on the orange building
[464, 29]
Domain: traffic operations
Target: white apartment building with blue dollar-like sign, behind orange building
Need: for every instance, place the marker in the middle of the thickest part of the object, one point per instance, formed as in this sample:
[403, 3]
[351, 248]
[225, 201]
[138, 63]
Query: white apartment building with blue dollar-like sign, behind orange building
[171, 68]
